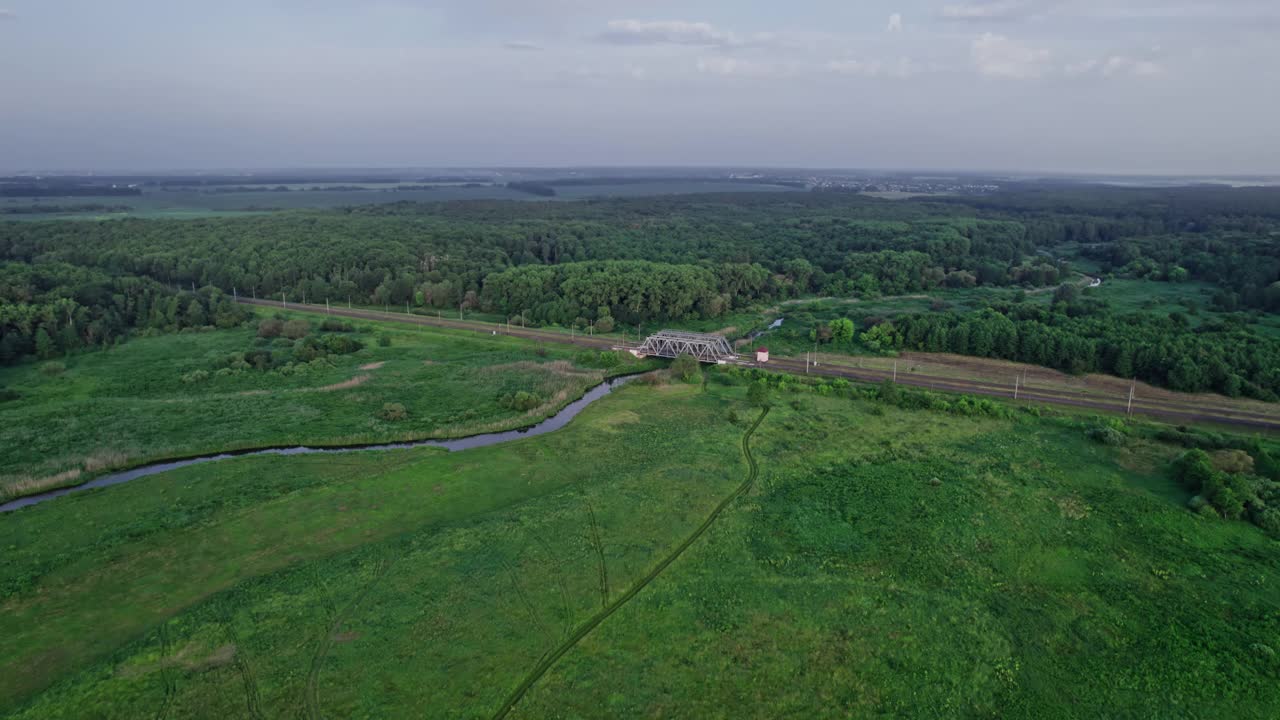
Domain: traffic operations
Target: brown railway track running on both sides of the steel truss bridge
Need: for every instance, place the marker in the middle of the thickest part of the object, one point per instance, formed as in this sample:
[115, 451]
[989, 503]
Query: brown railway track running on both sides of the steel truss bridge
[1159, 409]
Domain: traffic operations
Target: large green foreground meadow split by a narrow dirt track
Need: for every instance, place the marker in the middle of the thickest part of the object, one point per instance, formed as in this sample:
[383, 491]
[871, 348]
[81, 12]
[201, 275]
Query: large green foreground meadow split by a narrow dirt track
[886, 563]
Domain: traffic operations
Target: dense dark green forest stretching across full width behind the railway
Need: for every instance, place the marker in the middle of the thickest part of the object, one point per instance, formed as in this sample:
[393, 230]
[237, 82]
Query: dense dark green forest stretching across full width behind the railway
[660, 259]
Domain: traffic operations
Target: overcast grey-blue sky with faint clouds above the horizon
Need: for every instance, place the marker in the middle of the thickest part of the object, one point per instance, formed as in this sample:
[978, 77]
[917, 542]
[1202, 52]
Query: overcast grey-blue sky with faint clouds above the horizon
[1159, 86]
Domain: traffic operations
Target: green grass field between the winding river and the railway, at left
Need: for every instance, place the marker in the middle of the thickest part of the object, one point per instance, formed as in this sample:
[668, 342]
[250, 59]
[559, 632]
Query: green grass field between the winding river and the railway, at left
[131, 405]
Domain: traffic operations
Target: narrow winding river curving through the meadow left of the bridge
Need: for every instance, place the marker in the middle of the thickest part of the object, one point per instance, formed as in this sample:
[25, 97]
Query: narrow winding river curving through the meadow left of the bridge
[554, 423]
